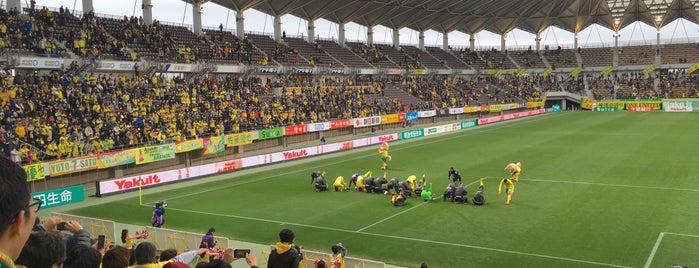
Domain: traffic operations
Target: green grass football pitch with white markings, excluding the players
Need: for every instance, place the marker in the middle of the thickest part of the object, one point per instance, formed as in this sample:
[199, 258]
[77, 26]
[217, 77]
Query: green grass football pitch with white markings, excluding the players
[596, 190]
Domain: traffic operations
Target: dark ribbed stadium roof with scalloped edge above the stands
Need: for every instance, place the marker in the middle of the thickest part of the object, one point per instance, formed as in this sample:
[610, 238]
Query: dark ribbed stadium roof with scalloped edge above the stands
[473, 16]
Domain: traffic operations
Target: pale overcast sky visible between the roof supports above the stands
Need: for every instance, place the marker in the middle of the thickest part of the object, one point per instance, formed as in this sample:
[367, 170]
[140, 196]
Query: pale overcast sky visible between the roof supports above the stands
[177, 11]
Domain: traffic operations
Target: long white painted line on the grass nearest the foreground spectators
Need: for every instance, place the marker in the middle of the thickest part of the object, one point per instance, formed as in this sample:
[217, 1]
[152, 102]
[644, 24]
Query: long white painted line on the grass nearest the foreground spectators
[406, 238]
